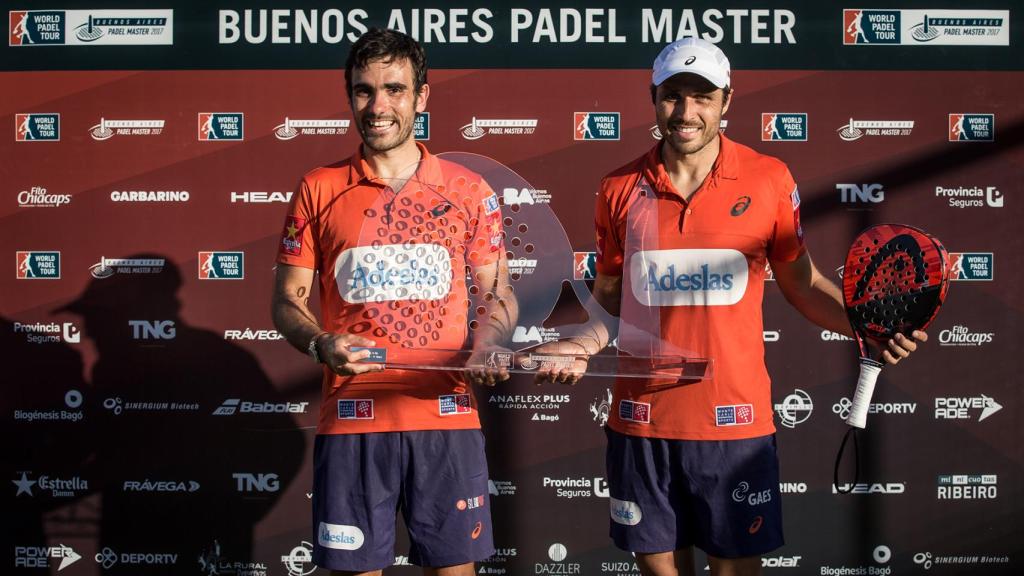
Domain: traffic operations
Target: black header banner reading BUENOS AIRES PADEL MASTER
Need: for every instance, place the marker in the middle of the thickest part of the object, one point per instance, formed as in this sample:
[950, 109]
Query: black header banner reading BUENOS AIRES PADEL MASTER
[795, 35]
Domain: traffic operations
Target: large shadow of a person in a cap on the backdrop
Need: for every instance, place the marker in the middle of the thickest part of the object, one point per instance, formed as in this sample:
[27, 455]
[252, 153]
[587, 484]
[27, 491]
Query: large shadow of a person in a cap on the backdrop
[183, 467]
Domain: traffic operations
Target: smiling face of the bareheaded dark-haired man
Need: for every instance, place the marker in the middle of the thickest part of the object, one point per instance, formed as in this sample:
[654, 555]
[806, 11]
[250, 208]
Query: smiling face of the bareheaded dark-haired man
[386, 103]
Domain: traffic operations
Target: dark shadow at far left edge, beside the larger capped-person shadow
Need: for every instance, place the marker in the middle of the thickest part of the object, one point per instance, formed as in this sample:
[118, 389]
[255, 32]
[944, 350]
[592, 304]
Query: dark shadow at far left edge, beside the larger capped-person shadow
[45, 413]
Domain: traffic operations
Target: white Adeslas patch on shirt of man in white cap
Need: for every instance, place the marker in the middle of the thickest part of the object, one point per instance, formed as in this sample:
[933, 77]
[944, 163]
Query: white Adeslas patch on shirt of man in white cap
[710, 277]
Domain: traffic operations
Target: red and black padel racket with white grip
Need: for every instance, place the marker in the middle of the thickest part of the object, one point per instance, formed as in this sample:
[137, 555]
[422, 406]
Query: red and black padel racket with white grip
[894, 281]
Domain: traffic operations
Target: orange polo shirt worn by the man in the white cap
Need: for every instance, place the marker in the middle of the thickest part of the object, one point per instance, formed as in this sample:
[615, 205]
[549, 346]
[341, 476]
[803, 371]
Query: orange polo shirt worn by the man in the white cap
[693, 285]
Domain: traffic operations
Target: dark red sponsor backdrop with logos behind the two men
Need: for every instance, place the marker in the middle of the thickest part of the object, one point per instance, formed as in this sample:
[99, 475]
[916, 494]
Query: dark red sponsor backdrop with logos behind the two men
[155, 423]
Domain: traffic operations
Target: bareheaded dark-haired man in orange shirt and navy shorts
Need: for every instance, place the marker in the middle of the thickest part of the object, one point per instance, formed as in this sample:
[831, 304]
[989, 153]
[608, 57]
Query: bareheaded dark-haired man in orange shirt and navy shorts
[393, 232]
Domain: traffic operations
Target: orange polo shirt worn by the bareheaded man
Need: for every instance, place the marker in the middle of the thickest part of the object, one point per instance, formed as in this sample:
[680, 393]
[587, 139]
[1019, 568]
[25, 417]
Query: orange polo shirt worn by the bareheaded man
[393, 268]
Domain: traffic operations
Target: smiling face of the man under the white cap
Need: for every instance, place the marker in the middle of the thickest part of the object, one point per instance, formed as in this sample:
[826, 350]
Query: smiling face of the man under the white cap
[690, 112]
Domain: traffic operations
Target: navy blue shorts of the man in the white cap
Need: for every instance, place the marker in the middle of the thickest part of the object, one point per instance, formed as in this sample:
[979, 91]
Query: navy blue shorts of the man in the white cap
[723, 498]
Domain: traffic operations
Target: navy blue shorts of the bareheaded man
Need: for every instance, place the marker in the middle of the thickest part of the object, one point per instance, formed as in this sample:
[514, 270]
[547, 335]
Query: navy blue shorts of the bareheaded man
[438, 479]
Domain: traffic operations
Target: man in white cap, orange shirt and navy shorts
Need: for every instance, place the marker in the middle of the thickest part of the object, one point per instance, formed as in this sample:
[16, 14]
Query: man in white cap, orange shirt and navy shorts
[684, 237]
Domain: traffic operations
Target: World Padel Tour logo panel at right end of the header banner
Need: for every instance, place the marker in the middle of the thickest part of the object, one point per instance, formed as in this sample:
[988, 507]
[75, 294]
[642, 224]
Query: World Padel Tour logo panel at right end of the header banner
[963, 28]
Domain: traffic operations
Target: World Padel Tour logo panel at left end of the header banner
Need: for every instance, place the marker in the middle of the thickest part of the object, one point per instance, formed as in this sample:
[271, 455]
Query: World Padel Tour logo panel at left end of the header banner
[77, 28]
